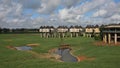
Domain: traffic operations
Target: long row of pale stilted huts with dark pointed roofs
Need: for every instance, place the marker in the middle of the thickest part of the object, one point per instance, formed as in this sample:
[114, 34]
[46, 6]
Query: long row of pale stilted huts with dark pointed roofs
[72, 31]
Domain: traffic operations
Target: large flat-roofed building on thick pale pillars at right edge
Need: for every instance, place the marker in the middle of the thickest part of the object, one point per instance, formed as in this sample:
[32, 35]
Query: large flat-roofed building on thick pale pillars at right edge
[111, 33]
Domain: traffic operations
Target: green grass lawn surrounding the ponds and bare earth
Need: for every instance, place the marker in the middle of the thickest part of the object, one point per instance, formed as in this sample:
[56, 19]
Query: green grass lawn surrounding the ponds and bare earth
[105, 56]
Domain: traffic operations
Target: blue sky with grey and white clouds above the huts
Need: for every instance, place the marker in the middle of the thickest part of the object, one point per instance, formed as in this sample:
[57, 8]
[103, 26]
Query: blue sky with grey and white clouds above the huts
[36, 13]
